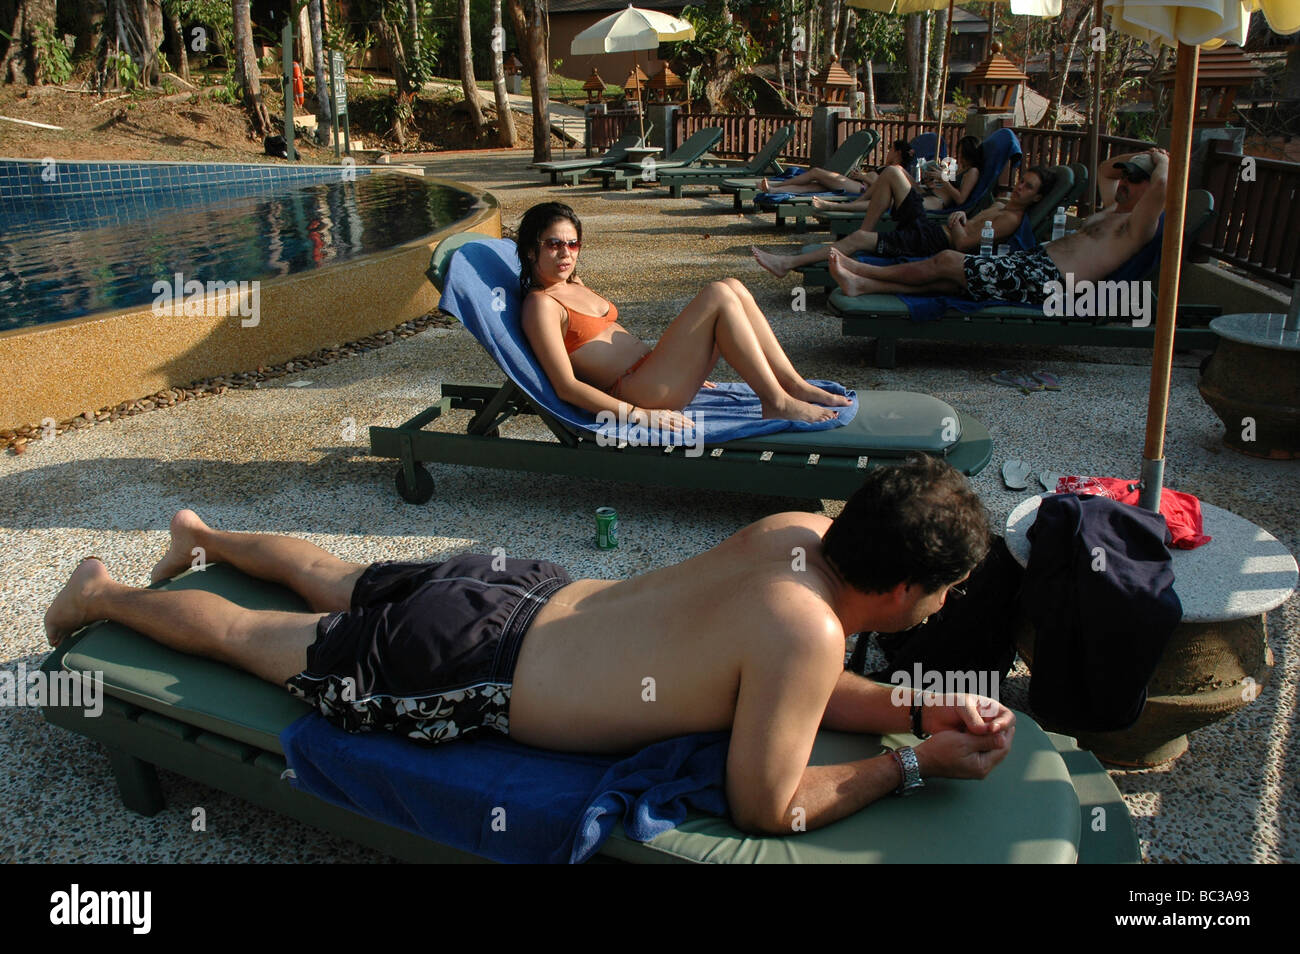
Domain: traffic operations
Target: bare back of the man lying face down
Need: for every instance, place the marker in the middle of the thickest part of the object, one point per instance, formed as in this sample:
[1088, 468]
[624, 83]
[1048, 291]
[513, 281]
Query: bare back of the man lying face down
[580, 684]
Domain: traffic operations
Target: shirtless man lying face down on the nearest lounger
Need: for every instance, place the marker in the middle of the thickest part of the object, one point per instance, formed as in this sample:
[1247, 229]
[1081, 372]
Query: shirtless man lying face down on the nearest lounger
[748, 636]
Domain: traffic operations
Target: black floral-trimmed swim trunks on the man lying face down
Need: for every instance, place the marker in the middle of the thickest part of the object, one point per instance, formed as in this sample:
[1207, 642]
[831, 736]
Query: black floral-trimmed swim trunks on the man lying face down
[428, 649]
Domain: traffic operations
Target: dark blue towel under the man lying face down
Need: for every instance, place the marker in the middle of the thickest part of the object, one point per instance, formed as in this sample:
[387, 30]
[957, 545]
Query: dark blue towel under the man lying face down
[506, 801]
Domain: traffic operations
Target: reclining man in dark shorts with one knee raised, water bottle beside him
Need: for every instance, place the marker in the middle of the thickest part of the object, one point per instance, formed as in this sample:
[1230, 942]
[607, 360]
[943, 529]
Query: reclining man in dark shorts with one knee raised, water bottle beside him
[918, 236]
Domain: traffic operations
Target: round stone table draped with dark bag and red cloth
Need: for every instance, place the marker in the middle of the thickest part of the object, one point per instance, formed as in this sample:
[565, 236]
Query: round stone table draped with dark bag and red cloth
[1219, 657]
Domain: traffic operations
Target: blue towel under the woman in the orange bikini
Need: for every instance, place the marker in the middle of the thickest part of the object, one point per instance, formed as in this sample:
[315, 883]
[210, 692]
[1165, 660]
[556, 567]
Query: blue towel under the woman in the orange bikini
[482, 289]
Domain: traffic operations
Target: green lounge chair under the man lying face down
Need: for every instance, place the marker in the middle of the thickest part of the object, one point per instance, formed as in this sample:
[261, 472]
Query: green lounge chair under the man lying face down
[222, 728]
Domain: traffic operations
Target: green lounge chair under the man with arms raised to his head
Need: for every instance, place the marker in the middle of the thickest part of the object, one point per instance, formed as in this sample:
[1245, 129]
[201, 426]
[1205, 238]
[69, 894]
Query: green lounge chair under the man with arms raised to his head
[887, 319]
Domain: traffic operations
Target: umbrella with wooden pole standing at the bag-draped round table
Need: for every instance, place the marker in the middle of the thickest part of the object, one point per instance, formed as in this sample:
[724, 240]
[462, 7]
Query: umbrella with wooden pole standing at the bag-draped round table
[1189, 25]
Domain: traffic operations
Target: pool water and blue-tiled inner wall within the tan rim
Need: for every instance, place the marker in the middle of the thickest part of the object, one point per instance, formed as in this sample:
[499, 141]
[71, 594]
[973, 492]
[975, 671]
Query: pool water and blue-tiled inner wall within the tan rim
[97, 237]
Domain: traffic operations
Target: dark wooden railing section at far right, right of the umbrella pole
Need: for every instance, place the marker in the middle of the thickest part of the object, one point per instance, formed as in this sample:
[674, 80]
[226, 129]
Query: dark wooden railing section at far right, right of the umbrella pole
[1258, 222]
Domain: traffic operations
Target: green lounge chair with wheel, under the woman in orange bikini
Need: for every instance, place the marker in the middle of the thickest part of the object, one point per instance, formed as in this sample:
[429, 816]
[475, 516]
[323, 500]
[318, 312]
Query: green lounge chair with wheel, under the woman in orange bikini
[889, 426]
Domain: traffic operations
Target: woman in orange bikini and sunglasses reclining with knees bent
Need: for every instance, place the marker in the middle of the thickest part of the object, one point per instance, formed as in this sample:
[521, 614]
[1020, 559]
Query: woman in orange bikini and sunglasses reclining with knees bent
[595, 363]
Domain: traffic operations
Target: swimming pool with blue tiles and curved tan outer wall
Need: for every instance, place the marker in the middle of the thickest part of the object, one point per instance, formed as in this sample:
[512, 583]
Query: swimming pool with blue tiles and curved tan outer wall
[119, 280]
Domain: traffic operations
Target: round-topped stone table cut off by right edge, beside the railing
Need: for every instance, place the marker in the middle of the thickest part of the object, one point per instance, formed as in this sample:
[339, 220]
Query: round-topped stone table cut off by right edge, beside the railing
[1253, 383]
